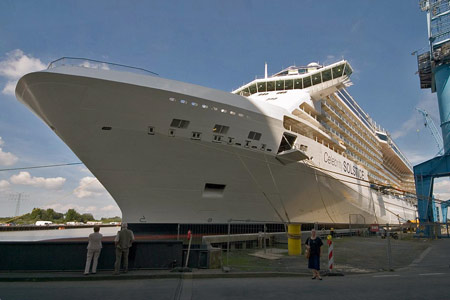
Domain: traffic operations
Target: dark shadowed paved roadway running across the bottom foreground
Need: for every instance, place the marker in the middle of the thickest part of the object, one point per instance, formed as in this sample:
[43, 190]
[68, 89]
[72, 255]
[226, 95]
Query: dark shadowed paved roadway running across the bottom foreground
[426, 277]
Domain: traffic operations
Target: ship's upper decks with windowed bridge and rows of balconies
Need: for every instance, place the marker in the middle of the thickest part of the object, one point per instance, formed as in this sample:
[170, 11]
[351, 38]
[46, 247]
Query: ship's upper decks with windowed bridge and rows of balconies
[351, 131]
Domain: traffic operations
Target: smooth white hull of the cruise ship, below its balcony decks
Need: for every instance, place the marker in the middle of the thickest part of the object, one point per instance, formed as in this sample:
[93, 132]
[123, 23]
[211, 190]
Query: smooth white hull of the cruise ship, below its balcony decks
[161, 177]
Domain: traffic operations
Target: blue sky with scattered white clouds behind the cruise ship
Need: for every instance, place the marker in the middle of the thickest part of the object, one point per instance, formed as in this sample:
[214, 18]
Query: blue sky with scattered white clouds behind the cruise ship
[218, 44]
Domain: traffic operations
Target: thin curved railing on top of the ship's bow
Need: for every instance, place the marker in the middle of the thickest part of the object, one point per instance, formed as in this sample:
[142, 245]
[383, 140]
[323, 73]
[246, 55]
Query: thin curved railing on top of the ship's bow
[96, 64]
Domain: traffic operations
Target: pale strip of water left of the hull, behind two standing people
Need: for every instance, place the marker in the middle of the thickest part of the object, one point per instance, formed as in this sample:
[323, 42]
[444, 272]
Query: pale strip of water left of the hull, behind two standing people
[40, 235]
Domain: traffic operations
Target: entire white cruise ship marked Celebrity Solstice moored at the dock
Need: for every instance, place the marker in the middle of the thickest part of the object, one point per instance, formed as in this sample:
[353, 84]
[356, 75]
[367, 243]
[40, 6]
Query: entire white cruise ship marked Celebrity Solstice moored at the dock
[291, 147]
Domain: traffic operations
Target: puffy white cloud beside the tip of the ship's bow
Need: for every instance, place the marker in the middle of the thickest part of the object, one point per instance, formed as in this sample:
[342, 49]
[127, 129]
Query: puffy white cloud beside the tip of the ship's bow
[15, 66]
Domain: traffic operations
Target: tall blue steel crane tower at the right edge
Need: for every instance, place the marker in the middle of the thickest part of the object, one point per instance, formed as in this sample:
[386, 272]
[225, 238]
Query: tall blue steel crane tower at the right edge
[434, 74]
